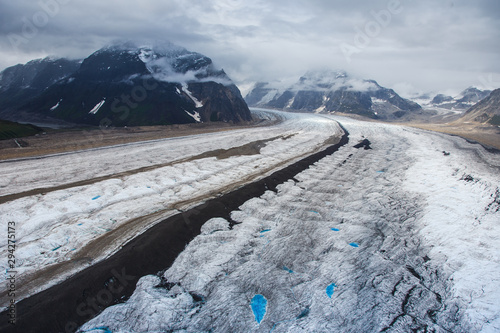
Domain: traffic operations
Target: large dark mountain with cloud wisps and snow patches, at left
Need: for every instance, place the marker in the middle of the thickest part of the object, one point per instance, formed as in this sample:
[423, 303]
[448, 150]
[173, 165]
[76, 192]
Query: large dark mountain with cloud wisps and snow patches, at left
[125, 85]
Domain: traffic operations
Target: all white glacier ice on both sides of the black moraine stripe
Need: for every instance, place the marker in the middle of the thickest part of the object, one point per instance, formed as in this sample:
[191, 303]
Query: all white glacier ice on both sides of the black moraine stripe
[401, 237]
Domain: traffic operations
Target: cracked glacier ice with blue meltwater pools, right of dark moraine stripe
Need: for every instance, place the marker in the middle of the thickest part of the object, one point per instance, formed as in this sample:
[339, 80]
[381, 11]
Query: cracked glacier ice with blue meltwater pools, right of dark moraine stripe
[401, 237]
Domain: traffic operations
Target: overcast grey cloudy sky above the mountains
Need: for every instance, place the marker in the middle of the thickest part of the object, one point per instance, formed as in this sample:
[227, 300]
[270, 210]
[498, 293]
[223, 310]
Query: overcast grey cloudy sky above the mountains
[408, 45]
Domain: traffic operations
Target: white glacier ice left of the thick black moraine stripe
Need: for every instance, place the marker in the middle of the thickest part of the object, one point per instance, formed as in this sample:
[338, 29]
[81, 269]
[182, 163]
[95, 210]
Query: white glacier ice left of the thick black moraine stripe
[53, 227]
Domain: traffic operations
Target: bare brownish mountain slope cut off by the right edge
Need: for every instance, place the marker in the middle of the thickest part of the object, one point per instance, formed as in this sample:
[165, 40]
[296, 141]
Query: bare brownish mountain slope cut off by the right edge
[486, 111]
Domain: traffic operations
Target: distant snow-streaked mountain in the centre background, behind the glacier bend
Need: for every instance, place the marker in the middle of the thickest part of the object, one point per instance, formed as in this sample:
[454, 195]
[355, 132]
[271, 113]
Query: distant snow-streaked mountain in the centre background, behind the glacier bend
[333, 91]
